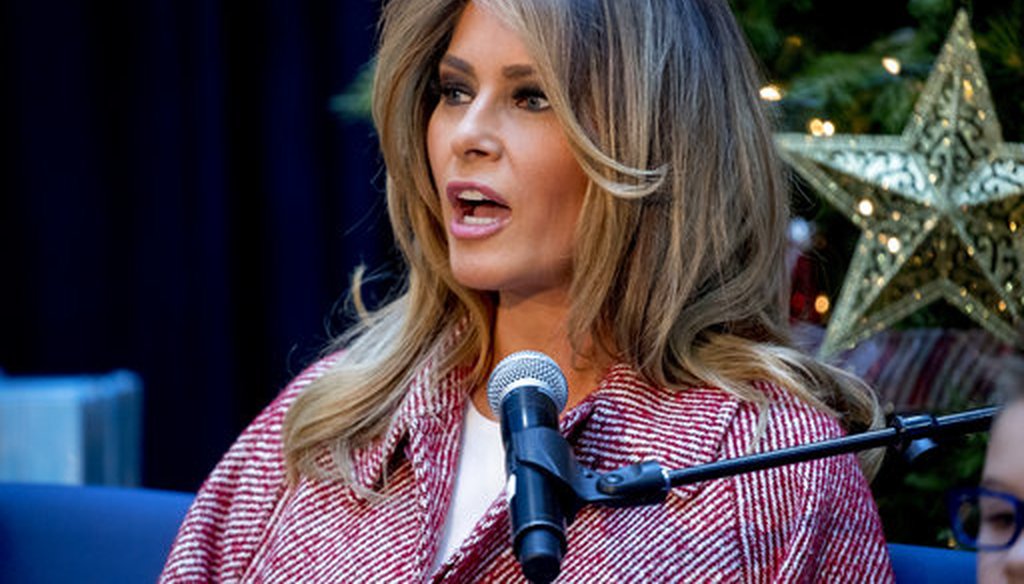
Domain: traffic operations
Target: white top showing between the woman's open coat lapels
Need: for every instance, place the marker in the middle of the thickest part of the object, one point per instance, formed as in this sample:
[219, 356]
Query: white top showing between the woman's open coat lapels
[479, 480]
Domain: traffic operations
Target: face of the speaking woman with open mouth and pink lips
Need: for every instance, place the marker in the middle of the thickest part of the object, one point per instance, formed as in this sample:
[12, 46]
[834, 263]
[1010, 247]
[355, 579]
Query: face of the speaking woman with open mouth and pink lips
[510, 188]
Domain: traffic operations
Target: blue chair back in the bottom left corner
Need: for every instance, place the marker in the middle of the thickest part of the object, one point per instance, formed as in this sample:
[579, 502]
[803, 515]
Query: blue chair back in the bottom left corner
[52, 533]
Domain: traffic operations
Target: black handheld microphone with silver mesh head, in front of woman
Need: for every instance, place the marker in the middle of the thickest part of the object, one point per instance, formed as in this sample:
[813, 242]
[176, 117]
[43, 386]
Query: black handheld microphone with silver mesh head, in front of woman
[527, 392]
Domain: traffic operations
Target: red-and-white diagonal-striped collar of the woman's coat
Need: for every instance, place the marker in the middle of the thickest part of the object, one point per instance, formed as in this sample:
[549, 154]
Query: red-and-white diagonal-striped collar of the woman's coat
[624, 422]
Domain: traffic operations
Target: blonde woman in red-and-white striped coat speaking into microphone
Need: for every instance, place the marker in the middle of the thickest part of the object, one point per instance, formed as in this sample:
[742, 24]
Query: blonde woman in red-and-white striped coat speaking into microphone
[594, 181]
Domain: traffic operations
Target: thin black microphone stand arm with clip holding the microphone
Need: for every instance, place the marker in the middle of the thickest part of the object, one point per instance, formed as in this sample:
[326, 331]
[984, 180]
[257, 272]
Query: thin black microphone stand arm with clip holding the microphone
[649, 483]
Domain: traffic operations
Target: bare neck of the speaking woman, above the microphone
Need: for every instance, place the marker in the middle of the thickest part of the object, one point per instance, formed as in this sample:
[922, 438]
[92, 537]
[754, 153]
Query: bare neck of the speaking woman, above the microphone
[540, 323]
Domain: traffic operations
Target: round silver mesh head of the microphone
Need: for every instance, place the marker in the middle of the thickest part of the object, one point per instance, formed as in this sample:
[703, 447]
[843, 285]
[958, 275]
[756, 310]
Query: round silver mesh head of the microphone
[531, 368]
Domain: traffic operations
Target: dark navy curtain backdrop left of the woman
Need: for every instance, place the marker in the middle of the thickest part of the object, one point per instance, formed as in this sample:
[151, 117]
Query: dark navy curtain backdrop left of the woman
[179, 199]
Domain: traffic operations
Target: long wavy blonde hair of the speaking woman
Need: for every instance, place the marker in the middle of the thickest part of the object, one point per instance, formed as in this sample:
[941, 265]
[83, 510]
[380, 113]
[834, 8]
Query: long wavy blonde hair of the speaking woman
[678, 267]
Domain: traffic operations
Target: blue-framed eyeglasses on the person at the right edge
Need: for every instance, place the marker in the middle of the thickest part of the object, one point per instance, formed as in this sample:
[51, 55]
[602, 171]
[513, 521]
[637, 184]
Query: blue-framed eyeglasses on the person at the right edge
[986, 520]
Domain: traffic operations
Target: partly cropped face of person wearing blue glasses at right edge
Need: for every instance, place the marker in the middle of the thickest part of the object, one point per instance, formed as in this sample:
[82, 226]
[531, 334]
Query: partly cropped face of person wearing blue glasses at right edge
[1005, 473]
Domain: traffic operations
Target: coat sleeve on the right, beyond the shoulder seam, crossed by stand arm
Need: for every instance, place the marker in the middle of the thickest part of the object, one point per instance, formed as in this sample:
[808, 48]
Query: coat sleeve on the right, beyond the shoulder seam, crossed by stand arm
[820, 516]
